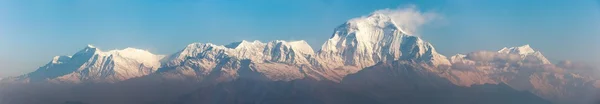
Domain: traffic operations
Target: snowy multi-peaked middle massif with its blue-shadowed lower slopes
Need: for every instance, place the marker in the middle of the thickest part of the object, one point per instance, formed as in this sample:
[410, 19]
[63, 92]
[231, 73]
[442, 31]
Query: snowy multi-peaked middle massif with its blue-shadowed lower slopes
[275, 60]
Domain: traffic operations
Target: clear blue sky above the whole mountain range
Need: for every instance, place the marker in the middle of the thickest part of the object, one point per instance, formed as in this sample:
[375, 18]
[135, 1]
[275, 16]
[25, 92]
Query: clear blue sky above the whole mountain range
[33, 31]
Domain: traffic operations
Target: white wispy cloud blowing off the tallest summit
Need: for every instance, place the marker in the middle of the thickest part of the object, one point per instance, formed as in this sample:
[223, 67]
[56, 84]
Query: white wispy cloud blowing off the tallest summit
[409, 18]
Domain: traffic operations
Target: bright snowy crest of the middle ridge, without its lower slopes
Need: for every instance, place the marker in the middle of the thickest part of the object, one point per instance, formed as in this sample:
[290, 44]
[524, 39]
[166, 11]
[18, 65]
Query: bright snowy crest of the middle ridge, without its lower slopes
[274, 51]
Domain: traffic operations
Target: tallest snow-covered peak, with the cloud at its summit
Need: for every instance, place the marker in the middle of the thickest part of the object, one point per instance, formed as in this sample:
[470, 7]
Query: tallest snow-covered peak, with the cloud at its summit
[365, 41]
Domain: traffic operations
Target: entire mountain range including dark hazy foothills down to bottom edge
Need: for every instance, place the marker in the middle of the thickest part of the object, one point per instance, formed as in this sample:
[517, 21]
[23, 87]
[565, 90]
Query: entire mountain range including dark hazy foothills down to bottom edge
[368, 59]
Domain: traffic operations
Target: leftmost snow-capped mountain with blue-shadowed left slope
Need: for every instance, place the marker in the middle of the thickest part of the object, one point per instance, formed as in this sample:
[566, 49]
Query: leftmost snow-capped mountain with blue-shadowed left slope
[93, 65]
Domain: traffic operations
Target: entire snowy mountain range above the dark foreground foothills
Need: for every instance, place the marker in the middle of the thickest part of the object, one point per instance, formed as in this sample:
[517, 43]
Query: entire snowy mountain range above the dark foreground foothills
[360, 47]
